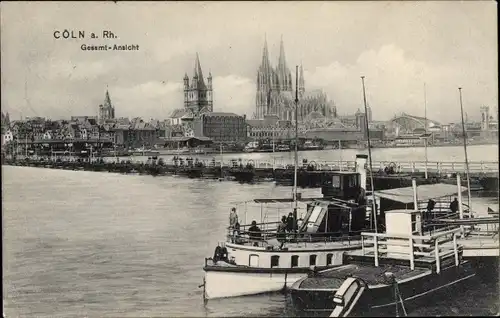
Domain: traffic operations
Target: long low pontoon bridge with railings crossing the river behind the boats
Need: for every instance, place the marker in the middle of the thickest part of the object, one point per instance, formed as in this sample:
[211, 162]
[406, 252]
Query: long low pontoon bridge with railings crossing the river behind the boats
[483, 175]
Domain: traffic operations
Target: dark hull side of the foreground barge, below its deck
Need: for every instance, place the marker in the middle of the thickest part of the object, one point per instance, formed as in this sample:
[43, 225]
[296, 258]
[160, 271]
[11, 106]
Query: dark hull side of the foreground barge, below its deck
[379, 301]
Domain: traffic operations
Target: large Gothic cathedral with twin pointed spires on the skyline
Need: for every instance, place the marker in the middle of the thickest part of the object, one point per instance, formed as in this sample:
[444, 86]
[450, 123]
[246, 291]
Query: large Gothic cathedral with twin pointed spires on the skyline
[276, 93]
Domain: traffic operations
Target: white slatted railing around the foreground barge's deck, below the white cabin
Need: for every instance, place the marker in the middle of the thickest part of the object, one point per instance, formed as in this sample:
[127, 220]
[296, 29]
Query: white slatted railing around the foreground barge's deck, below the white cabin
[412, 247]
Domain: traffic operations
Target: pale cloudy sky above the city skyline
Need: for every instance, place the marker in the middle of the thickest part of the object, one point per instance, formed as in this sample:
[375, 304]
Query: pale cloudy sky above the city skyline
[397, 45]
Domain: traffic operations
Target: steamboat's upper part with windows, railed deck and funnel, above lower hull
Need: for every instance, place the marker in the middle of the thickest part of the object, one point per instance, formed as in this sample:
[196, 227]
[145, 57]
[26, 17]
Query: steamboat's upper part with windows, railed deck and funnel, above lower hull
[330, 226]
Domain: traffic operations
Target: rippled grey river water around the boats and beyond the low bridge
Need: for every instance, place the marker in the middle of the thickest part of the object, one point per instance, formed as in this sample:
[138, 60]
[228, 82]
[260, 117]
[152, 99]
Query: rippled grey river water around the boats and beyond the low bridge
[94, 244]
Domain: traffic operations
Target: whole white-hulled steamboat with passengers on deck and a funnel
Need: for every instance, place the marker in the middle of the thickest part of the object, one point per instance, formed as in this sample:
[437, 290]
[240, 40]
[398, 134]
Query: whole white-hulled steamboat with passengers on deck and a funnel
[246, 265]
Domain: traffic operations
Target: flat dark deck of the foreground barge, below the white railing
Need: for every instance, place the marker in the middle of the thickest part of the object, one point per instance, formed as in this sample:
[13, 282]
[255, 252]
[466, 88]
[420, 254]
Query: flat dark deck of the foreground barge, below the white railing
[333, 279]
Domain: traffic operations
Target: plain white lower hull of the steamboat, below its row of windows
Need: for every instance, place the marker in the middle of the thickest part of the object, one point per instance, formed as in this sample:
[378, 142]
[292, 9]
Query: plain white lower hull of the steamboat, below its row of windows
[221, 284]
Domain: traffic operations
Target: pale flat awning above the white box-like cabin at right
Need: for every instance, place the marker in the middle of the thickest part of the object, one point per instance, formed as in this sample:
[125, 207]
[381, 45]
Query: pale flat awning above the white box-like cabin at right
[424, 192]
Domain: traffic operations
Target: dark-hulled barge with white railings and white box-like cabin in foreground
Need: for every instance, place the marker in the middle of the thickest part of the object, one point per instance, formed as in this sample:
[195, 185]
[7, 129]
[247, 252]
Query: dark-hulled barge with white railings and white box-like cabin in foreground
[403, 265]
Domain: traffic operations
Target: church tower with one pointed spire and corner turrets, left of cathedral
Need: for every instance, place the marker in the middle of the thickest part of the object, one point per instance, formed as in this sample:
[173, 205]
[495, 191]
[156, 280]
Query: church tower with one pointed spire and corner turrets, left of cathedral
[198, 96]
